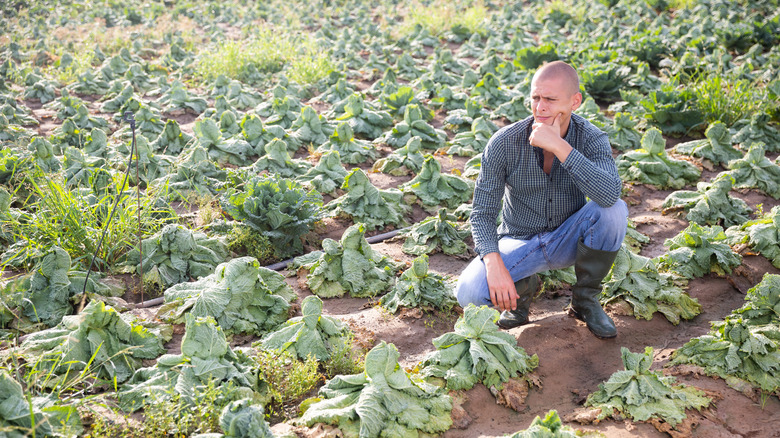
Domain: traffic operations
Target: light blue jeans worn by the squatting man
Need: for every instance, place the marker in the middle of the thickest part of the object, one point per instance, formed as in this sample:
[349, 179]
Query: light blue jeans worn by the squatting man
[600, 228]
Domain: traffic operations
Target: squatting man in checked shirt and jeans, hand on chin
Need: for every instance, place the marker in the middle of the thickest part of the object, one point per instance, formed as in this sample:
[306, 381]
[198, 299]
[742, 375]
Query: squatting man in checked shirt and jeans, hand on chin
[541, 169]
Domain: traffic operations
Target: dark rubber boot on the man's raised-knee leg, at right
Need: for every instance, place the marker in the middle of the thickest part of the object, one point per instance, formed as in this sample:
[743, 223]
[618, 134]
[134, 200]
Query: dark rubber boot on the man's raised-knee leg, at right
[591, 265]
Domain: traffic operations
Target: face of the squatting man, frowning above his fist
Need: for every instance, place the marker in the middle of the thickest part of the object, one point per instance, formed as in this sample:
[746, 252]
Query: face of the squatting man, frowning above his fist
[553, 96]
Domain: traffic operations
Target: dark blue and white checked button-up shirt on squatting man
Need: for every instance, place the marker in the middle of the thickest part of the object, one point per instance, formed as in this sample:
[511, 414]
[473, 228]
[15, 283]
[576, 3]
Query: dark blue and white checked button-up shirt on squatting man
[512, 172]
